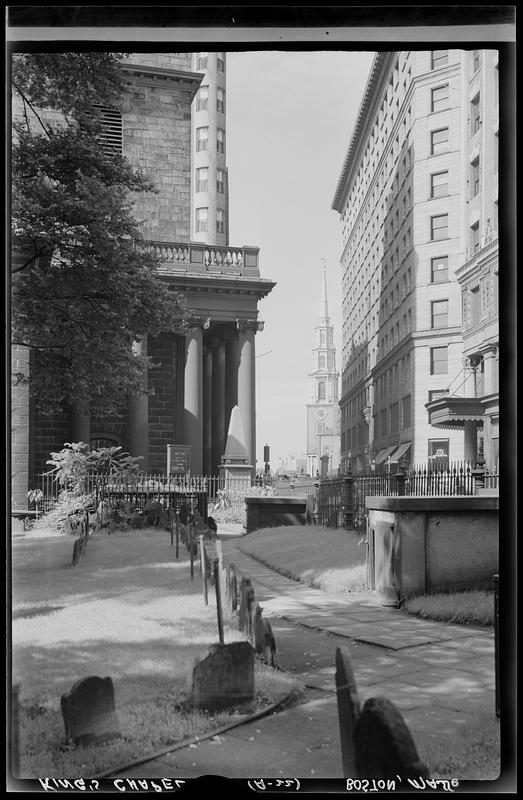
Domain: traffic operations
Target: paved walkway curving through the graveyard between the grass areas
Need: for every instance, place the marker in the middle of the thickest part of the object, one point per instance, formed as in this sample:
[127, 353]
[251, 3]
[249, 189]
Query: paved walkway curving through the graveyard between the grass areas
[441, 677]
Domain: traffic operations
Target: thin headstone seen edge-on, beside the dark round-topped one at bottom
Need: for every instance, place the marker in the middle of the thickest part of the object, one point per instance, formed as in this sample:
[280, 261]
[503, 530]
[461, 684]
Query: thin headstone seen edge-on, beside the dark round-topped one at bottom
[348, 710]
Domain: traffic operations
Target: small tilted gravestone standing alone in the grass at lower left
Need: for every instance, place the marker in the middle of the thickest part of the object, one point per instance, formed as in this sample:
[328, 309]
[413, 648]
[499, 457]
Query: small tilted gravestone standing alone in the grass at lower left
[88, 712]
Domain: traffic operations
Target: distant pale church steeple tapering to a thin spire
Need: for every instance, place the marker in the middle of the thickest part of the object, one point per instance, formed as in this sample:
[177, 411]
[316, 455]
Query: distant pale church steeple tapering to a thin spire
[323, 414]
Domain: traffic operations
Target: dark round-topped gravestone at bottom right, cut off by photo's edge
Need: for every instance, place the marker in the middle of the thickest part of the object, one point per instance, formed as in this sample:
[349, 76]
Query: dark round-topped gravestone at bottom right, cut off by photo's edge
[383, 745]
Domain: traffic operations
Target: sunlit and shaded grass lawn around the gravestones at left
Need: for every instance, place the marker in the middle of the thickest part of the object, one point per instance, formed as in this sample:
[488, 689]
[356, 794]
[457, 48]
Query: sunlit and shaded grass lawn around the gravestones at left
[128, 610]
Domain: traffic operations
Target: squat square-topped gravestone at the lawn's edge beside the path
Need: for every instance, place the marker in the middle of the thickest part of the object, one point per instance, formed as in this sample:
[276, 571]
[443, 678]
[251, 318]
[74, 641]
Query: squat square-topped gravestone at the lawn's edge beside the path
[225, 678]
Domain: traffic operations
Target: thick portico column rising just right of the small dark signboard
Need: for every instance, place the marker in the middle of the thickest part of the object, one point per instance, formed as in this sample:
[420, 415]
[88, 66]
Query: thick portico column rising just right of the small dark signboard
[193, 397]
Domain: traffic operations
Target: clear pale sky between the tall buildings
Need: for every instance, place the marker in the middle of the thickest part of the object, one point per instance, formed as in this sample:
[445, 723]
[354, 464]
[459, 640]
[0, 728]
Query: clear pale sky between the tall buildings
[290, 117]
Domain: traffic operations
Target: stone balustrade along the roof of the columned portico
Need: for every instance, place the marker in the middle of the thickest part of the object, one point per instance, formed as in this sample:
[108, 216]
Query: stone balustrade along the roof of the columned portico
[199, 257]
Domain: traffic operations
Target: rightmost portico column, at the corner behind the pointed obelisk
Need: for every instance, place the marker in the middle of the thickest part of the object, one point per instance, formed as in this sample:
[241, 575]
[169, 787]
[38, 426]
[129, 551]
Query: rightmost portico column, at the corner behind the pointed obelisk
[247, 384]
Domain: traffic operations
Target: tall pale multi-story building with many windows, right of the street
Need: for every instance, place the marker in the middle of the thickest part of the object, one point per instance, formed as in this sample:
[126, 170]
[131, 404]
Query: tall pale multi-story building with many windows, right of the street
[417, 197]
